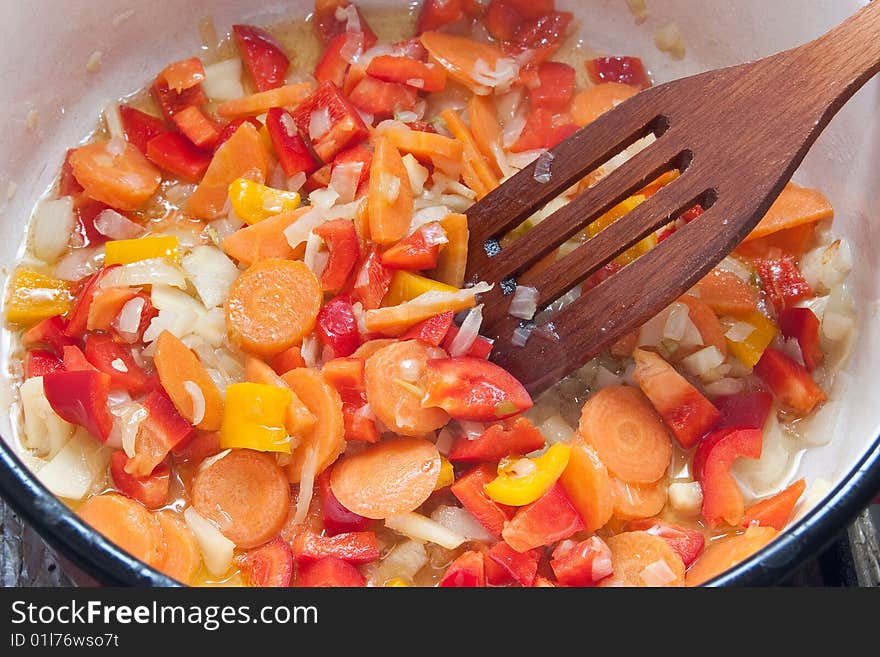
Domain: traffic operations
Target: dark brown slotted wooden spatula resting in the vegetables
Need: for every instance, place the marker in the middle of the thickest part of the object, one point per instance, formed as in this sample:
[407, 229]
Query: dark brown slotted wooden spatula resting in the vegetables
[736, 135]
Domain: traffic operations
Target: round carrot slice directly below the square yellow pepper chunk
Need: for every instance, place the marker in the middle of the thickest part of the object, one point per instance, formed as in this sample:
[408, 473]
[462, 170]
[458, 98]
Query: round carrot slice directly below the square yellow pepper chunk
[245, 493]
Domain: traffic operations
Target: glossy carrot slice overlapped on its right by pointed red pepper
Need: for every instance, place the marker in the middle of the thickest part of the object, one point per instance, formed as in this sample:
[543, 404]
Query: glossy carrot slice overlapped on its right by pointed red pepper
[395, 386]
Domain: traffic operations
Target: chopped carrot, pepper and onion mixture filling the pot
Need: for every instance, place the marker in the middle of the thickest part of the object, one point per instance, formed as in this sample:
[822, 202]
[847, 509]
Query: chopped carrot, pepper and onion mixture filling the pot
[248, 354]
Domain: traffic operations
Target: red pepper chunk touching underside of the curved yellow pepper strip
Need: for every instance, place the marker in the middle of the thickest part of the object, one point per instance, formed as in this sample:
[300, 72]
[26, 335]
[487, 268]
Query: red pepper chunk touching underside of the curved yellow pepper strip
[551, 518]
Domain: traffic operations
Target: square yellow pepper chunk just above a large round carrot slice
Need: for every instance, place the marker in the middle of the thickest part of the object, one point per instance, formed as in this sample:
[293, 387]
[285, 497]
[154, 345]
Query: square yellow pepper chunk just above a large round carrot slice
[253, 418]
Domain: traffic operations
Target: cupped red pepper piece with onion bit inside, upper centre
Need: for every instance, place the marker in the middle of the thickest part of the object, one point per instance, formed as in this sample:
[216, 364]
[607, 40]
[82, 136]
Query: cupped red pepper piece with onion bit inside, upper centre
[346, 125]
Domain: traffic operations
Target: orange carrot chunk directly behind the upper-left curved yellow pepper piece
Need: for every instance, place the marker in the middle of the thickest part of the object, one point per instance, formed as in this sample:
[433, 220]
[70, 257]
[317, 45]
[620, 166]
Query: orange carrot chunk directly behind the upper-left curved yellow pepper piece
[243, 155]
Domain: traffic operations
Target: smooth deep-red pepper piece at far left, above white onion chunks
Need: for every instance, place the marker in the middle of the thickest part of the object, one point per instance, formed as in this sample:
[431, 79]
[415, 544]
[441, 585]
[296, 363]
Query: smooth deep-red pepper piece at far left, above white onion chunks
[81, 398]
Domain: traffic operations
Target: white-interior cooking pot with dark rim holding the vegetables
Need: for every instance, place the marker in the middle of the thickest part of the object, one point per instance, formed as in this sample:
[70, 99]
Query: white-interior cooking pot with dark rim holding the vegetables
[55, 85]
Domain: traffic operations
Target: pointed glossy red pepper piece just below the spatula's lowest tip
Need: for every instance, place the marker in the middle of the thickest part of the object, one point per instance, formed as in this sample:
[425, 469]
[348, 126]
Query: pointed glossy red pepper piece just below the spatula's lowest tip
[474, 389]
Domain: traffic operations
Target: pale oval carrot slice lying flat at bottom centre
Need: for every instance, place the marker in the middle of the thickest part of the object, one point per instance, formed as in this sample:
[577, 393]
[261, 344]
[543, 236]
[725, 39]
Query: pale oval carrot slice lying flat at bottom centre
[390, 477]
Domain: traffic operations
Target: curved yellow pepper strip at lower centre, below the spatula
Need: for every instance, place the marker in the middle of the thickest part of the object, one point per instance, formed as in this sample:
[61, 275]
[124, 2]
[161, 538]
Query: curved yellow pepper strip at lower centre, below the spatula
[521, 481]
